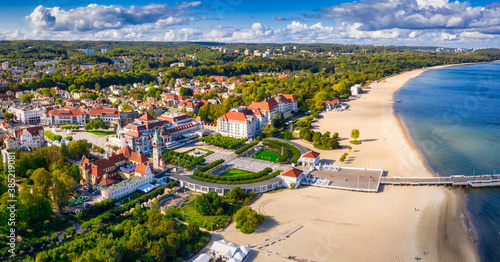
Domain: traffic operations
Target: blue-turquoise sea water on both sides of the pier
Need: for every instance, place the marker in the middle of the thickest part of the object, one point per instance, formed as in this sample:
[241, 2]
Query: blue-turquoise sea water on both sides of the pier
[453, 117]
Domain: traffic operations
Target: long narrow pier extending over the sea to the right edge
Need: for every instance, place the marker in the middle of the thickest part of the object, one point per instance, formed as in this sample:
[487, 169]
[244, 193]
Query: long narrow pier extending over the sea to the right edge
[455, 181]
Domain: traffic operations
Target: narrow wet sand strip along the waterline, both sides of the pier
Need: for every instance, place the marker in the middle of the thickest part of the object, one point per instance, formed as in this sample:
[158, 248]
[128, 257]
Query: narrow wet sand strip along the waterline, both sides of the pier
[467, 221]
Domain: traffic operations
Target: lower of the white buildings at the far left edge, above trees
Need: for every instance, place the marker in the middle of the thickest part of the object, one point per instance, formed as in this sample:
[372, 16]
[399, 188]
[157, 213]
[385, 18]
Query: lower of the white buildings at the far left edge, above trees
[30, 137]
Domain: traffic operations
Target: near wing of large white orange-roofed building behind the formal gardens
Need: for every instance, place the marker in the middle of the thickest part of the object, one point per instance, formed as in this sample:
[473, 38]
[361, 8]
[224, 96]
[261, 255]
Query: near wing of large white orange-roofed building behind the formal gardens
[242, 122]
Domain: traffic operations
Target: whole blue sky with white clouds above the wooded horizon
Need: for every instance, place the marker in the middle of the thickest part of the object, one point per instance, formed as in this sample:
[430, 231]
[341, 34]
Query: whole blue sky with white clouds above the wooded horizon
[380, 22]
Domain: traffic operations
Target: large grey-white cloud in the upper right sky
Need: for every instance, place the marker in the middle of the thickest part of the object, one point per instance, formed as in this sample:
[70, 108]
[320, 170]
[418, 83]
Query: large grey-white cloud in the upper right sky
[416, 14]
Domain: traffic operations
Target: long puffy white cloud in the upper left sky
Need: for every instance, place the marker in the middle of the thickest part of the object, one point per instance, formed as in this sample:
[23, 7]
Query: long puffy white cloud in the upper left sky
[96, 17]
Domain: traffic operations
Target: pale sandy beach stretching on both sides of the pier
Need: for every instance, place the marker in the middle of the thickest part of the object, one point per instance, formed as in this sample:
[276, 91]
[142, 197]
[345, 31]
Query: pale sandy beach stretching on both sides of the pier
[397, 224]
